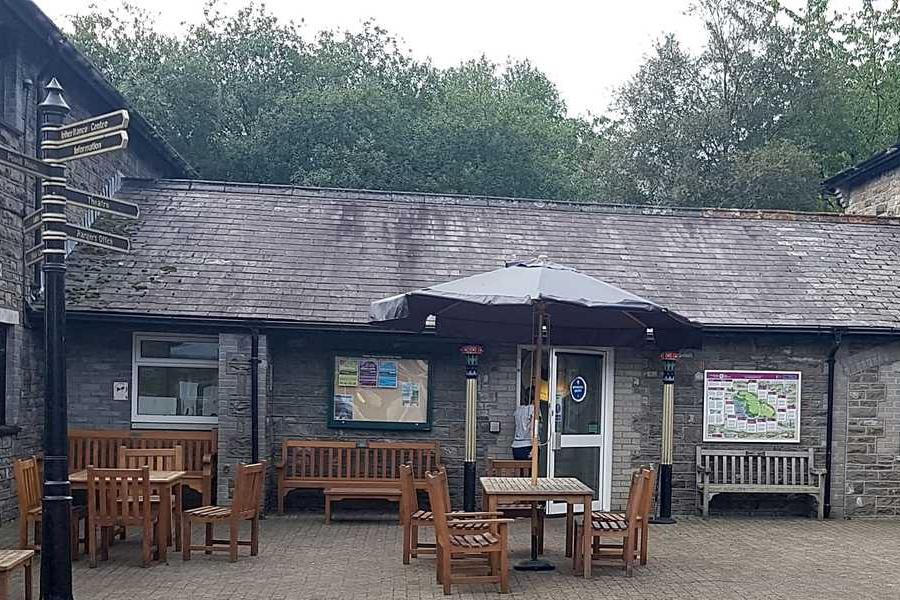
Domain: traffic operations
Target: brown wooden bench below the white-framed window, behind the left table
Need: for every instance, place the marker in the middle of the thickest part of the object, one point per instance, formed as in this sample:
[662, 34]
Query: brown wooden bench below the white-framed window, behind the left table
[100, 448]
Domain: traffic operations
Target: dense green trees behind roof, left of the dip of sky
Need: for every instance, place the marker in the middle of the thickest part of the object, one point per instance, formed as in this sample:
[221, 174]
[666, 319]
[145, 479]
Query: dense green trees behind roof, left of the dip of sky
[246, 97]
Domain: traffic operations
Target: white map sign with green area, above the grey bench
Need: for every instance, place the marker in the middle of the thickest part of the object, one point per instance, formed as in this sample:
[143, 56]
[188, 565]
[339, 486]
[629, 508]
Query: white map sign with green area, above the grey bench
[751, 406]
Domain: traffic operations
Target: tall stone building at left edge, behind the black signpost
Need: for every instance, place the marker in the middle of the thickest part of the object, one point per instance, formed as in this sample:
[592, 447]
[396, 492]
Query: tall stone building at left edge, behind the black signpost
[32, 50]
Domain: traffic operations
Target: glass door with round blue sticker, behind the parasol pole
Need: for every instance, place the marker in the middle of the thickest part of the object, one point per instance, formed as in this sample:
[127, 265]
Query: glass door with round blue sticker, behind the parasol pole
[580, 420]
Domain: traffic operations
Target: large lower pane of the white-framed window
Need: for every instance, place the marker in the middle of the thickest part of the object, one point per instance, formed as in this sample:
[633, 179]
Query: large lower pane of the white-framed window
[177, 391]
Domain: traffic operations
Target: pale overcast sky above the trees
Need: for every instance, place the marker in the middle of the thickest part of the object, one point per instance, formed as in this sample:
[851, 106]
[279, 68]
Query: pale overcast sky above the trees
[587, 47]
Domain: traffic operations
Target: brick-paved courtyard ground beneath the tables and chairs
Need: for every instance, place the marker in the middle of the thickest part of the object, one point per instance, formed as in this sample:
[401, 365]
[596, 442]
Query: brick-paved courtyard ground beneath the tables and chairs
[722, 558]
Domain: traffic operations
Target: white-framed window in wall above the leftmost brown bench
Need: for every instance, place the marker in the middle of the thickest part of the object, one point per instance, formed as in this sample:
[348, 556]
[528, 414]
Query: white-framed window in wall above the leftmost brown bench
[175, 379]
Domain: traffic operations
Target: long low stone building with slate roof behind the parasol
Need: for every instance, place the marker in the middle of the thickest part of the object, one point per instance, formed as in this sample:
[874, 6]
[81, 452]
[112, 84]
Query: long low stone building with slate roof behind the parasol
[774, 292]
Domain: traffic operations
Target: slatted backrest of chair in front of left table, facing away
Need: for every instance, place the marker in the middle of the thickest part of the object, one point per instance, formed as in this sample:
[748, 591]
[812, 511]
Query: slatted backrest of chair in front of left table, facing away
[119, 496]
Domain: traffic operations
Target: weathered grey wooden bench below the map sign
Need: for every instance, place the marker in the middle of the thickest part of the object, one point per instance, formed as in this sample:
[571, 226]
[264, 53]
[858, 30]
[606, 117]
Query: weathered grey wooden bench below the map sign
[767, 472]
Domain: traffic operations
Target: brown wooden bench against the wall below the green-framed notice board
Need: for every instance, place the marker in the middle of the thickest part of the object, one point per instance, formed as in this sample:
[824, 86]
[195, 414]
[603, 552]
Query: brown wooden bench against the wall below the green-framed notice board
[343, 465]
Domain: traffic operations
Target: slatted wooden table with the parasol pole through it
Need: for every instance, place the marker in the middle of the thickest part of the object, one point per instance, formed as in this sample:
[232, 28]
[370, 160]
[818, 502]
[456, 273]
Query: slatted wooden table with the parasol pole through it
[518, 490]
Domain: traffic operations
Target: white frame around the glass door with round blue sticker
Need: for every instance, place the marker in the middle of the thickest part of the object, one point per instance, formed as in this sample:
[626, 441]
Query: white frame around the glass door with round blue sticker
[604, 494]
